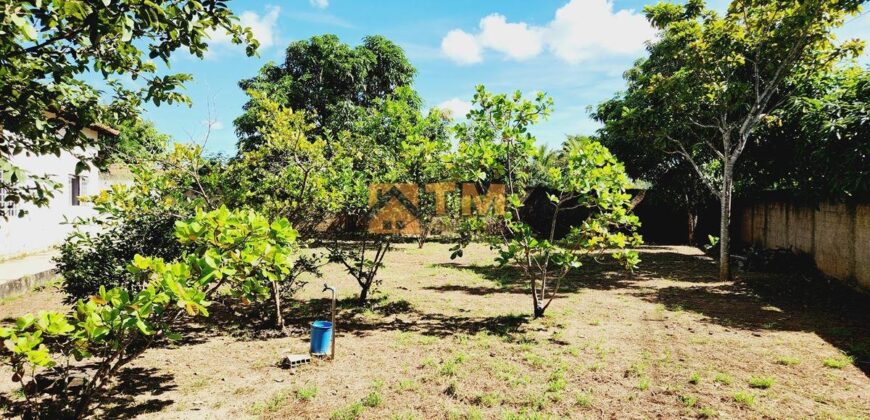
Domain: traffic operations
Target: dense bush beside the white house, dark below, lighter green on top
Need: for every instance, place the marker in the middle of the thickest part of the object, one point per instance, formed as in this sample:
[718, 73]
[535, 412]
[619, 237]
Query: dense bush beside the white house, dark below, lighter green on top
[138, 219]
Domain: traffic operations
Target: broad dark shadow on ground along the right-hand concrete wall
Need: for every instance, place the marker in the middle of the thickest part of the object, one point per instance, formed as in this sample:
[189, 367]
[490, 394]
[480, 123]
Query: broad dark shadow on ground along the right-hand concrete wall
[800, 300]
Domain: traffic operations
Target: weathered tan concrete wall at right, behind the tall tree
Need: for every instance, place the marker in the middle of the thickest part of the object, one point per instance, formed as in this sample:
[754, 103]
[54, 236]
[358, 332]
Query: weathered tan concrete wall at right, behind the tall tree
[837, 236]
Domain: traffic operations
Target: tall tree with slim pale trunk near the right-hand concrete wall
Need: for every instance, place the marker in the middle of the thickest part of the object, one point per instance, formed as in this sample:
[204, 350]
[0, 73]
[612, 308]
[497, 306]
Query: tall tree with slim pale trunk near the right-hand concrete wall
[710, 80]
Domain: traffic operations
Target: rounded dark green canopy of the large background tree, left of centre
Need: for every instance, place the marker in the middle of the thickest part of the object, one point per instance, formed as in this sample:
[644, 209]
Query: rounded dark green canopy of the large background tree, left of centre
[329, 80]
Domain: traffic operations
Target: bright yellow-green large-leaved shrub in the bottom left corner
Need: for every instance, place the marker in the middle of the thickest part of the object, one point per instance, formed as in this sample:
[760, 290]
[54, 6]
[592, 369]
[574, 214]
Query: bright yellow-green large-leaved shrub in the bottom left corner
[113, 327]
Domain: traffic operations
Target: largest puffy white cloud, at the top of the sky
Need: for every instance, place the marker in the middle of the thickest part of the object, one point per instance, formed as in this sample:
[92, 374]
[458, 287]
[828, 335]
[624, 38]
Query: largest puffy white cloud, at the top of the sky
[580, 30]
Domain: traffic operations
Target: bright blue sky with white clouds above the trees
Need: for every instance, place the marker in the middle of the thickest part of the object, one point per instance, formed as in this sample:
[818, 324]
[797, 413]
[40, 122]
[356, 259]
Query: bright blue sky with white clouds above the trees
[576, 51]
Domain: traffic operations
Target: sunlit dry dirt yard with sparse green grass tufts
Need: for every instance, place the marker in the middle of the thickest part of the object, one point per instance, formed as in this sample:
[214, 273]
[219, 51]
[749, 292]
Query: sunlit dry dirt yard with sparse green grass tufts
[453, 339]
